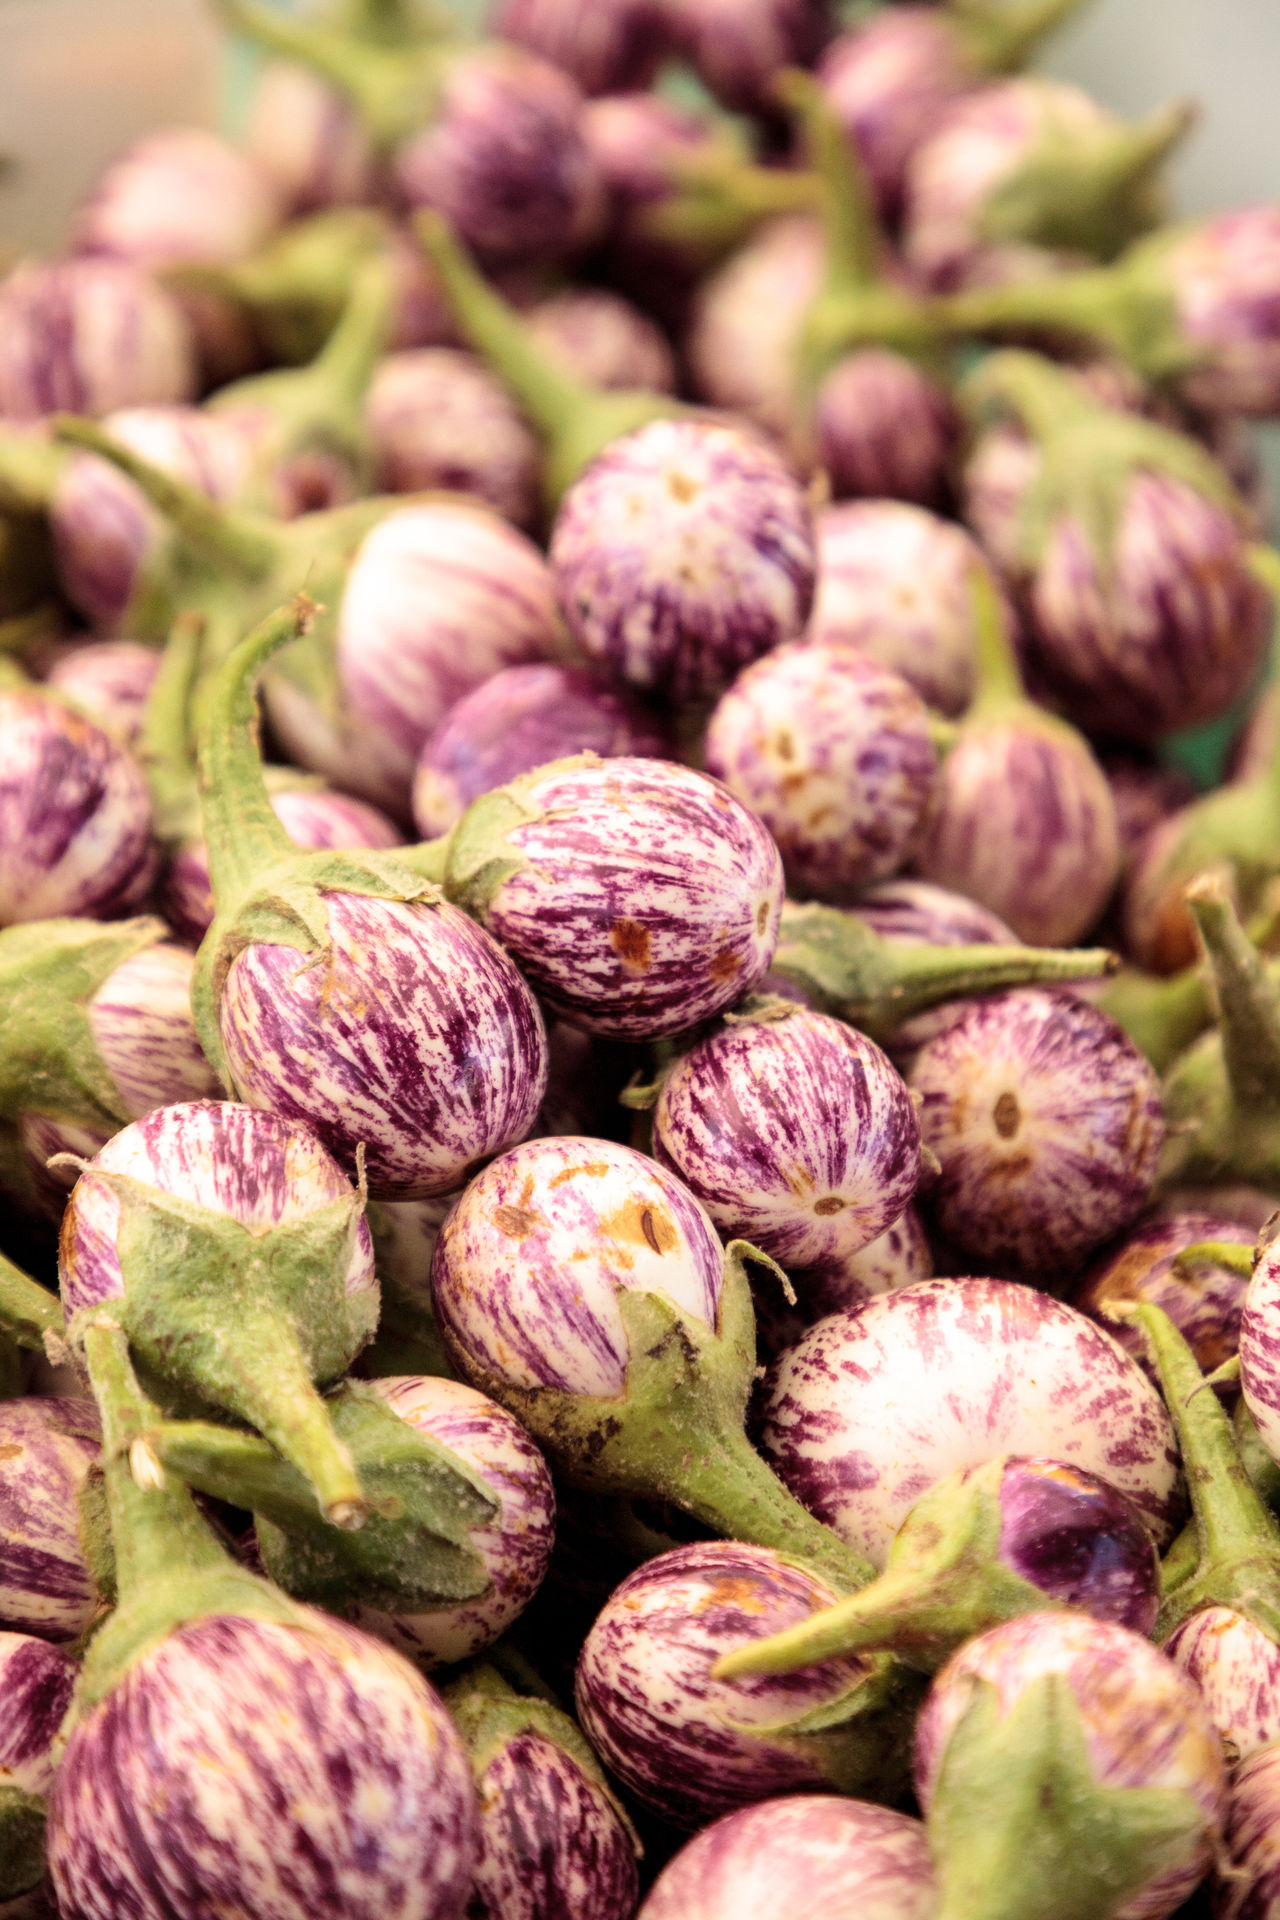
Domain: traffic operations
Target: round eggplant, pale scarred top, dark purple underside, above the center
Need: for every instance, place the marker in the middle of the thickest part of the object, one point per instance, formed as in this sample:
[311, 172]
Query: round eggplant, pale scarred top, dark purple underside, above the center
[682, 554]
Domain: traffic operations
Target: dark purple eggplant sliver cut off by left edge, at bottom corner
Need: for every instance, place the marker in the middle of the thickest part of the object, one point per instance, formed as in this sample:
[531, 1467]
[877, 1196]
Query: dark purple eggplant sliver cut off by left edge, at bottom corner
[36, 1685]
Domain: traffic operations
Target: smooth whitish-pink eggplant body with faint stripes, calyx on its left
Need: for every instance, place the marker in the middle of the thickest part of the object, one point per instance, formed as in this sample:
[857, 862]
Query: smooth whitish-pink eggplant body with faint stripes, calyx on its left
[439, 598]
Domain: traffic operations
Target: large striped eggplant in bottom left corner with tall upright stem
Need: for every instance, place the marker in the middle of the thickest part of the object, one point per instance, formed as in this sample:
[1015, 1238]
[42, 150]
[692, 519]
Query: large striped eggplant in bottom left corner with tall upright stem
[185, 1785]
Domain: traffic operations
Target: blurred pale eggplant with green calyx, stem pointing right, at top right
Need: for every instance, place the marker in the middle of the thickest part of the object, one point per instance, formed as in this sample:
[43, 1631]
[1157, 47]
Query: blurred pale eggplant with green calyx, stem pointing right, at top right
[1031, 168]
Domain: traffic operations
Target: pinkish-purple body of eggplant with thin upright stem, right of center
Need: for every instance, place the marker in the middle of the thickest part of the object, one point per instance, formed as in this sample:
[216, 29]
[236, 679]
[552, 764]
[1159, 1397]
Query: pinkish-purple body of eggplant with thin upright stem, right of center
[1026, 825]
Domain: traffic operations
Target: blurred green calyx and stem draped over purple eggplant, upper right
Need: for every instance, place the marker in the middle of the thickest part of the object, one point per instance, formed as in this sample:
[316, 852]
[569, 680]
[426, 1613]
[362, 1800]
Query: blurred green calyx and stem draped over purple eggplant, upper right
[1089, 454]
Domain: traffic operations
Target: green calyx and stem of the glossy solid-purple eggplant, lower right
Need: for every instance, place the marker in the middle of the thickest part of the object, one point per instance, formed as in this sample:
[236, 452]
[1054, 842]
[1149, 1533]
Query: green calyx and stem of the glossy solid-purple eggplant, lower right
[943, 1585]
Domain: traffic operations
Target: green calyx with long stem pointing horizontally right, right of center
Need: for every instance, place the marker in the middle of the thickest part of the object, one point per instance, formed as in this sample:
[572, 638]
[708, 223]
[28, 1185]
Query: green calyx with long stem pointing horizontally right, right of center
[878, 984]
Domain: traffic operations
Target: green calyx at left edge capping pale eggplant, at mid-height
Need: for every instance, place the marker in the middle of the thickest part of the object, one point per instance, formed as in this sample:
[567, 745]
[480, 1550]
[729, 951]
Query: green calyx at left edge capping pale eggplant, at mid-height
[49, 1059]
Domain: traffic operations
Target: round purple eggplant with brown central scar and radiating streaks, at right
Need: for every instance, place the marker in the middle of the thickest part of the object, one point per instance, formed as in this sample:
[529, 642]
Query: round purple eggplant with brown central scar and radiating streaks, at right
[1049, 1126]
